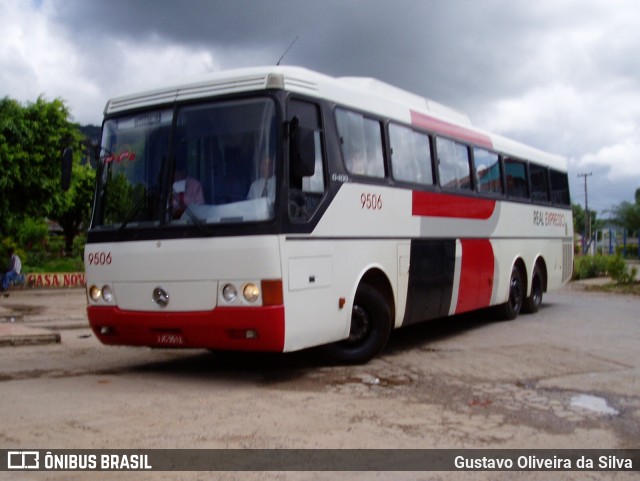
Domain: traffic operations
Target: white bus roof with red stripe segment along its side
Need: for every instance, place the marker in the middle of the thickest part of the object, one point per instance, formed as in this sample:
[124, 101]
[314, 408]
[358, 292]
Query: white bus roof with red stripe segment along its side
[365, 94]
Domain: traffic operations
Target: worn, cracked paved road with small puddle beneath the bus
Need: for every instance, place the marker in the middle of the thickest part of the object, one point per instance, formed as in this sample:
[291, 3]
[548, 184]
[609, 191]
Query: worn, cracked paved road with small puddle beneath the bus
[566, 377]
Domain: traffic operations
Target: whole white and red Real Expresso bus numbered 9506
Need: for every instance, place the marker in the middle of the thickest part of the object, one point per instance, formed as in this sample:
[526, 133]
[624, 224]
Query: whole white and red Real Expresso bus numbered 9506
[276, 209]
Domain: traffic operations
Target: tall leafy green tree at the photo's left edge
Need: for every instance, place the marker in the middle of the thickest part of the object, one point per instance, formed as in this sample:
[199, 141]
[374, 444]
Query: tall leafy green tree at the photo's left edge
[32, 138]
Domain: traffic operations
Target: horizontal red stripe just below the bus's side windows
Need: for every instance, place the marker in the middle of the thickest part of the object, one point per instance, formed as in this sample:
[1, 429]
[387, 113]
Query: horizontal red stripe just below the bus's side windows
[434, 204]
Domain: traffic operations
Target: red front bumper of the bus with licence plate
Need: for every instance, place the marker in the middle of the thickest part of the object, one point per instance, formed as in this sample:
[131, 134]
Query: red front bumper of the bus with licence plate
[225, 328]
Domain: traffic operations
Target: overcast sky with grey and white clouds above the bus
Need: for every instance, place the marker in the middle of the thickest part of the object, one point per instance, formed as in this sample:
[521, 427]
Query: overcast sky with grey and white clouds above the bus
[561, 75]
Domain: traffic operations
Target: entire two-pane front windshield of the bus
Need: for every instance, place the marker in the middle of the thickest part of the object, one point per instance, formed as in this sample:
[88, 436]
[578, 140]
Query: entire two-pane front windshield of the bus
[213, 163]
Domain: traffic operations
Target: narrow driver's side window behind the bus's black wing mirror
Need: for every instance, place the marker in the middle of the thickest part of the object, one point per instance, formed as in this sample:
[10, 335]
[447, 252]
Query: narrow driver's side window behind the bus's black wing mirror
[306, 188]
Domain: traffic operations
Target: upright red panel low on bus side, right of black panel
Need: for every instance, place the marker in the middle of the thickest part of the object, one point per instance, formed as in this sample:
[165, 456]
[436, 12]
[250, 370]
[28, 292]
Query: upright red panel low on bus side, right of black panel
[476, 276]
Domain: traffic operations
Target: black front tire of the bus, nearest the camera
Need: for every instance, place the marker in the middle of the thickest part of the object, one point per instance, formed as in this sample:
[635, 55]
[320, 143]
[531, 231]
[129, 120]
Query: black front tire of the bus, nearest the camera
[370, 329]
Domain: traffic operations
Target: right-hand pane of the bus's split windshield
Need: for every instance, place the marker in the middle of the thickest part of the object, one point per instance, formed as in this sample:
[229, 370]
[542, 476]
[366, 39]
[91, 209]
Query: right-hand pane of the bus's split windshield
[224, 162]
